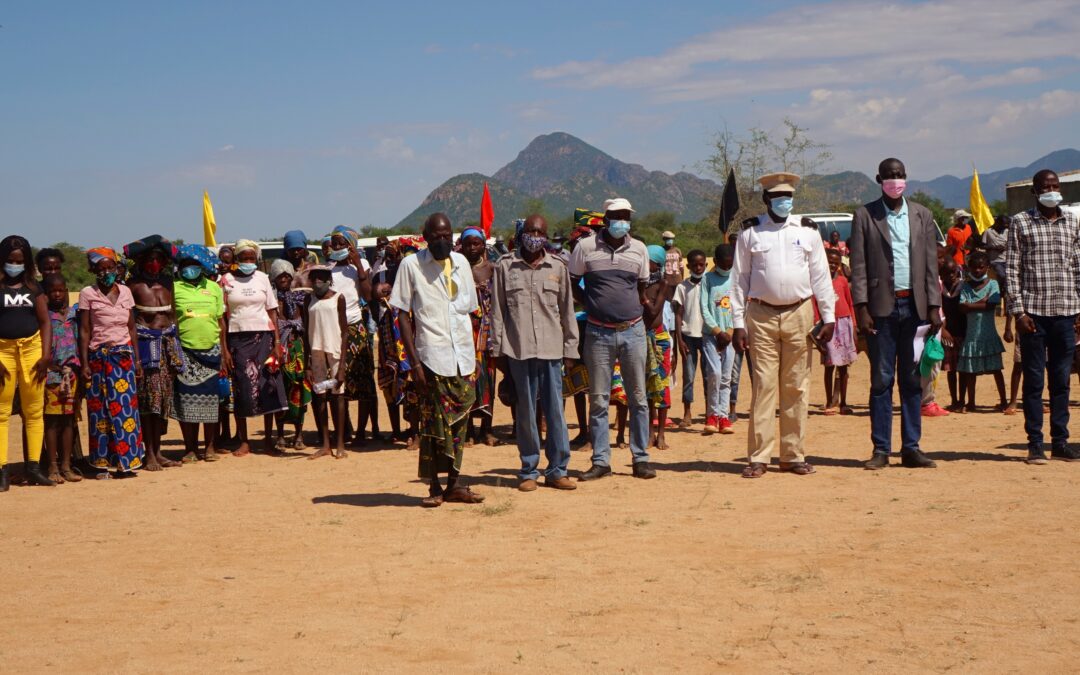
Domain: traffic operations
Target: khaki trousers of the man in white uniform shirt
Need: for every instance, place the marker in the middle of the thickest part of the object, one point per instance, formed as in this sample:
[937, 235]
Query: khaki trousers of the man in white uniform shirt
[780, 357]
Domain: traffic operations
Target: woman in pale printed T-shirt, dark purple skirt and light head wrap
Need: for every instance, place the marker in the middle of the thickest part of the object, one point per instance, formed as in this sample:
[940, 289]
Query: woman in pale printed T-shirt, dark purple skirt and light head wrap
[252, 349]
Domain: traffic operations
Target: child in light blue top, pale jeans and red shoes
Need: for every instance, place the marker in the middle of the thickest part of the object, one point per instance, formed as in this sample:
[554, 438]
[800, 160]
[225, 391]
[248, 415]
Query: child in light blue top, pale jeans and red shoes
[717, 349]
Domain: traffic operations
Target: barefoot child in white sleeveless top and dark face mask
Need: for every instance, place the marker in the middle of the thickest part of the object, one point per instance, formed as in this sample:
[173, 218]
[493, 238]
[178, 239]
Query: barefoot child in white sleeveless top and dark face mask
[327, 330]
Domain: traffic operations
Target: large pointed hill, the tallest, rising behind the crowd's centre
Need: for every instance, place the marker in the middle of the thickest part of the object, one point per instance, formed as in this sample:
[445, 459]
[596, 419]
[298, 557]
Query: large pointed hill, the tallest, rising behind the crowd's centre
[568, 173]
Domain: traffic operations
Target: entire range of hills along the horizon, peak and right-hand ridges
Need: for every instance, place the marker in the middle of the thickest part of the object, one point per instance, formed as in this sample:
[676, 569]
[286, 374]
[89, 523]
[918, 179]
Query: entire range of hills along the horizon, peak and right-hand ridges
[566, 173]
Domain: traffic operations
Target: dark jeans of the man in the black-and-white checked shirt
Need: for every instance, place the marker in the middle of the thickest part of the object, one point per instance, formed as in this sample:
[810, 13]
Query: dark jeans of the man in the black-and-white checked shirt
[1050, 349]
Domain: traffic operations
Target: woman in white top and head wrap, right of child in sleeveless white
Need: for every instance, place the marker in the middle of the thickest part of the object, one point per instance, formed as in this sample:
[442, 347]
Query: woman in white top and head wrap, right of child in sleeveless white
[349, 274]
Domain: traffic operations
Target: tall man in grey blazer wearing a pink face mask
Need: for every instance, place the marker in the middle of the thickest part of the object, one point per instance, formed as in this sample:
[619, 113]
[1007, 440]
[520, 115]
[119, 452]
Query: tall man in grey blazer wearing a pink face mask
[896, 289]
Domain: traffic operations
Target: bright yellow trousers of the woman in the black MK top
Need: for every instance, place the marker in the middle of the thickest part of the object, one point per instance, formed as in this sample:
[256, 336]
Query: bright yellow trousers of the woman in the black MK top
[19, 358]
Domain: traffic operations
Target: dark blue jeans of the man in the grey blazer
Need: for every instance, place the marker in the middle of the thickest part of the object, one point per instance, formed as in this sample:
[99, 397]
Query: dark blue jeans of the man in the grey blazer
[893, 355]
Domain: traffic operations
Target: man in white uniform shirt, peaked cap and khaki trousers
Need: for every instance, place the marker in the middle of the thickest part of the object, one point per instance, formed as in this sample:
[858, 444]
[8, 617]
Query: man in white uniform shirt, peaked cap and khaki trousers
[779, 265]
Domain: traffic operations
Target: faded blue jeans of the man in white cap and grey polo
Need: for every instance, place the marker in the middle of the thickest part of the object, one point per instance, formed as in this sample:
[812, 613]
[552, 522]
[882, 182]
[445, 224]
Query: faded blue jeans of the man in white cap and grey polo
[603, 348]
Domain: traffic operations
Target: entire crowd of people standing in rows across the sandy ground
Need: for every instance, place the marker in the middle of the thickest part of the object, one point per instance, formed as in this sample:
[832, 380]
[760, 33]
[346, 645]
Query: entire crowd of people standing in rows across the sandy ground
[445, 331]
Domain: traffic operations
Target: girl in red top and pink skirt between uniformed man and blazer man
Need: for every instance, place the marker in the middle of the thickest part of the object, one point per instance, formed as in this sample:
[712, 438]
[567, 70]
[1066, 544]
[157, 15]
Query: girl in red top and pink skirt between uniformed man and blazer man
[841, 352]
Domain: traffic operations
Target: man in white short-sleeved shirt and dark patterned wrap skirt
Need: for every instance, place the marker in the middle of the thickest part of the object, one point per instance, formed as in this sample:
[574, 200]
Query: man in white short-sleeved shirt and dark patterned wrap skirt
[437, 287]
